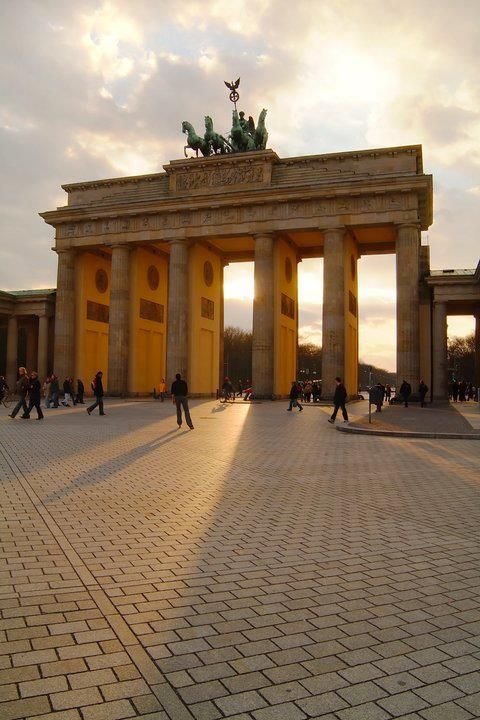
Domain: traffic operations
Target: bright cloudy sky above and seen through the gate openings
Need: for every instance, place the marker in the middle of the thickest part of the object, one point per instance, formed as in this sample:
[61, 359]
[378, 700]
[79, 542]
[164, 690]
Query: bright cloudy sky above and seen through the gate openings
[98, 88]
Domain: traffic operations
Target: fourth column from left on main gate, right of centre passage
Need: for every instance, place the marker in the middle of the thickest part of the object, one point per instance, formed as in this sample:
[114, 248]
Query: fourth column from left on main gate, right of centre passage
[262, 348]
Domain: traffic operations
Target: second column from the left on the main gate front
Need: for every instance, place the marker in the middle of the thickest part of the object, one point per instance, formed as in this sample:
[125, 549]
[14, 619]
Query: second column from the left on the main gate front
[119, 321]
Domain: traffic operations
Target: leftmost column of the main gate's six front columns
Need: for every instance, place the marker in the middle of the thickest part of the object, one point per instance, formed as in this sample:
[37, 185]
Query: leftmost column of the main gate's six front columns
[65, 315]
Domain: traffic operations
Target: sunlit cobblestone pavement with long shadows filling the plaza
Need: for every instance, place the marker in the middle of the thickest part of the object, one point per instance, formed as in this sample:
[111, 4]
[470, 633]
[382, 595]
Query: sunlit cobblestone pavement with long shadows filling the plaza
[263, 566]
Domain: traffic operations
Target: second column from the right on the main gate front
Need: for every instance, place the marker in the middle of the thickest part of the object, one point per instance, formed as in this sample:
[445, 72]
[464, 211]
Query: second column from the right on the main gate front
[333, 333]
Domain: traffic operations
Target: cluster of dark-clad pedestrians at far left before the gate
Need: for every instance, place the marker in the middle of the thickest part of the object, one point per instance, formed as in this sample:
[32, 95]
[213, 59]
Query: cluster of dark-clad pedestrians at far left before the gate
[29, 388]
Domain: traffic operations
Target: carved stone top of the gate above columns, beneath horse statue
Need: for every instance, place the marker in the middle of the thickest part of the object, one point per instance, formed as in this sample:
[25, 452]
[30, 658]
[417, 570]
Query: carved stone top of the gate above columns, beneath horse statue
[247, 193]
